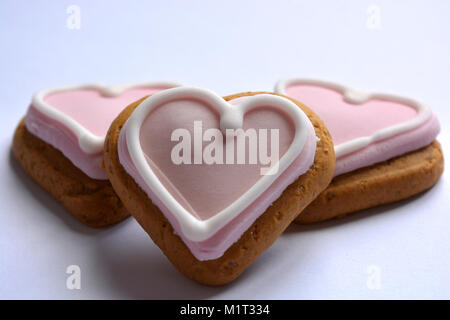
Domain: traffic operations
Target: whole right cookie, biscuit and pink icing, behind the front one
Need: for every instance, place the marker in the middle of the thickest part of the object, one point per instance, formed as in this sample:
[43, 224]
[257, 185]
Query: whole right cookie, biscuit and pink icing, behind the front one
[385, 146]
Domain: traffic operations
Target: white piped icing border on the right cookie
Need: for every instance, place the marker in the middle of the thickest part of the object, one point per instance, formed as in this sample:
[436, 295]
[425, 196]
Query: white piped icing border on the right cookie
[353, 96]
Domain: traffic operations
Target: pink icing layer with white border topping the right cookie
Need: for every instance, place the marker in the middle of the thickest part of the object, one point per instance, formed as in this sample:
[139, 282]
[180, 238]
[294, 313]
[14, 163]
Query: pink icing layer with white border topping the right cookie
[367, 128]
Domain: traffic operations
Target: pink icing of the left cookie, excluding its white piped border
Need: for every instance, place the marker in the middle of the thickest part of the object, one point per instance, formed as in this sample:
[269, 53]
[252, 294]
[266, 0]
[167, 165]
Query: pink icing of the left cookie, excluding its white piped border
[92, 110]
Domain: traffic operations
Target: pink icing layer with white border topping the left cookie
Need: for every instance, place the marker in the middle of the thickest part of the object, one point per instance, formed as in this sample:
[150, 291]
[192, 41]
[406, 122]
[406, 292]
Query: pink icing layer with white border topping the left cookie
[75, 119]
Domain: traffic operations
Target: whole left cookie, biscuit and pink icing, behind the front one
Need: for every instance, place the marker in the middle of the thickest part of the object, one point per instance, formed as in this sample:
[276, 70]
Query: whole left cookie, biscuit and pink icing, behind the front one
[60, 145]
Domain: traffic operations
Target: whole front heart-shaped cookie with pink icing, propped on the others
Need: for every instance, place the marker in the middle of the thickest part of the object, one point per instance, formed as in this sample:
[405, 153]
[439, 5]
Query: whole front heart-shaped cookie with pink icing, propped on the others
[214, 183]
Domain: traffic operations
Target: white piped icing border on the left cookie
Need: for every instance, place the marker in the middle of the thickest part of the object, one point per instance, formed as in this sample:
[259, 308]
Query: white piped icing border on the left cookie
[89, 142]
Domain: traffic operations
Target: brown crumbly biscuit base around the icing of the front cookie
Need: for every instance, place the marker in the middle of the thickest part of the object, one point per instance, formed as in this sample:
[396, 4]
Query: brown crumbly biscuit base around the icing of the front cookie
[262, 233]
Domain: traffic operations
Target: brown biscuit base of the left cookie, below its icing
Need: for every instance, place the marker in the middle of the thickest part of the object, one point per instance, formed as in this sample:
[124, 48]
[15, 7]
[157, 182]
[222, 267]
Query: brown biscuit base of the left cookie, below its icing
[91, 201]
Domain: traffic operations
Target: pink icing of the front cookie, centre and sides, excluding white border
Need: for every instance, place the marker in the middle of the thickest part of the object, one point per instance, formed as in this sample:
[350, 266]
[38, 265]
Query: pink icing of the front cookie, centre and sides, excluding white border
[206, 189]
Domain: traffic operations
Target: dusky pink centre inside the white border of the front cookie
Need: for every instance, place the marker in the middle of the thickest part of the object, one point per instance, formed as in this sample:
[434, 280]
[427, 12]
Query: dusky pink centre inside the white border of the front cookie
[224, 183]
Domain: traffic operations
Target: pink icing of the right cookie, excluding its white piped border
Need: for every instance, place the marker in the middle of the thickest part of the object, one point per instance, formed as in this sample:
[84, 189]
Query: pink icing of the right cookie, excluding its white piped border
[347, 121]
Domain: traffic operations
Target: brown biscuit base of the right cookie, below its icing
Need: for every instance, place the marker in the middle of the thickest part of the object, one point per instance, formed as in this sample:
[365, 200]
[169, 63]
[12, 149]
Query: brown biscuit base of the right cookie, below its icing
[396, 179]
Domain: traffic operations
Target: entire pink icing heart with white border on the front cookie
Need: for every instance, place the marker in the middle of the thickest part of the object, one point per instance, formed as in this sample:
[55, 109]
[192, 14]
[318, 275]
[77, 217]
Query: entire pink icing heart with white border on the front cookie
[202, 199]
